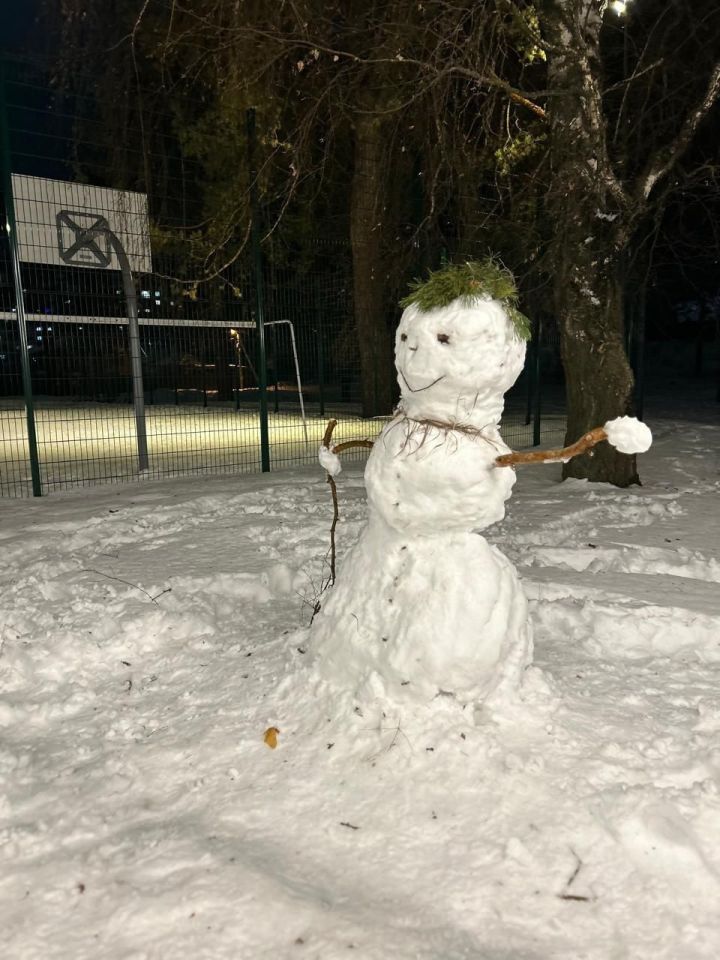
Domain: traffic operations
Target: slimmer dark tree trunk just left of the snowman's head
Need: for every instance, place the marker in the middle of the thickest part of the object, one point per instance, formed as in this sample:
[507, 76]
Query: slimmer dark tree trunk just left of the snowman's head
[369, 287]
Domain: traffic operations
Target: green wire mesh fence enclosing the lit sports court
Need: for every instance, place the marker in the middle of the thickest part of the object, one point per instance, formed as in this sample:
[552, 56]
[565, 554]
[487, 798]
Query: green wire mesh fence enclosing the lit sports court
[117, 364]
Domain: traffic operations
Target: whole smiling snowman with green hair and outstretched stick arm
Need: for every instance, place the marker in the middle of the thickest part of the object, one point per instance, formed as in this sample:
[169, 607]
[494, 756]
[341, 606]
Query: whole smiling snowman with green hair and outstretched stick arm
[424, 606]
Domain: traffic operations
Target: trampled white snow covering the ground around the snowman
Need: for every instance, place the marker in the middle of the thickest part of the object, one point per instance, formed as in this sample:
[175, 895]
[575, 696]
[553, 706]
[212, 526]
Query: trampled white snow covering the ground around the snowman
[150, 634]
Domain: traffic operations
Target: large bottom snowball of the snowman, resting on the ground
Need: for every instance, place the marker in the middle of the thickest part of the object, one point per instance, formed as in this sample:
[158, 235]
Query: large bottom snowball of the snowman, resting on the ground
[414, 618]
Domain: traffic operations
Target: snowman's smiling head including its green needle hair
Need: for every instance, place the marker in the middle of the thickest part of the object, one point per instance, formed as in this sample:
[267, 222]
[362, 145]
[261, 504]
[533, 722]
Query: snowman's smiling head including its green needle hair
[456, 359]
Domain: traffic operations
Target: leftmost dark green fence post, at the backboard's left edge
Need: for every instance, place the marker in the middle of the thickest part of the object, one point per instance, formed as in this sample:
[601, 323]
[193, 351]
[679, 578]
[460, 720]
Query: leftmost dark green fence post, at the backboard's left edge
[11, 229]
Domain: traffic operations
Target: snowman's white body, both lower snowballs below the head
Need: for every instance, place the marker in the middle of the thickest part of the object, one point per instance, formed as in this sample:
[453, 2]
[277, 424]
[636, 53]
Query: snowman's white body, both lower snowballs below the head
[424, 606]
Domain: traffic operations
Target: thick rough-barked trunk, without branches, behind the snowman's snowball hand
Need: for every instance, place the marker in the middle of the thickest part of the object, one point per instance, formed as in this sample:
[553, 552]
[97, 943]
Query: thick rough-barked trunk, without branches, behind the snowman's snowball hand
[585, 205]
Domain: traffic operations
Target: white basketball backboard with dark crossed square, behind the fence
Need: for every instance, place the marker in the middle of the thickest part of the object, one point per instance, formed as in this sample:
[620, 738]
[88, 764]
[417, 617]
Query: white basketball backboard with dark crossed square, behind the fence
[67, 224]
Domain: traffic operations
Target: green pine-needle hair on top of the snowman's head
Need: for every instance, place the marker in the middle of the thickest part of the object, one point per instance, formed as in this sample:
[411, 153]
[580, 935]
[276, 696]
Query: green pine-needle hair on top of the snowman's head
[469, 282]
